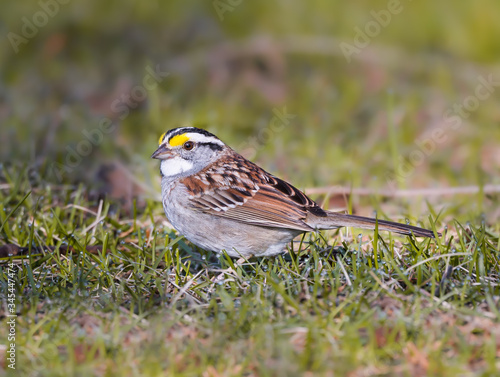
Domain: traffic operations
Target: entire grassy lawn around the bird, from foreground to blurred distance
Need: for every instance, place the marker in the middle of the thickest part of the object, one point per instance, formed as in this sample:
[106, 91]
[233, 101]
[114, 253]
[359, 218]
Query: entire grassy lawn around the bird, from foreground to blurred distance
[103, 286]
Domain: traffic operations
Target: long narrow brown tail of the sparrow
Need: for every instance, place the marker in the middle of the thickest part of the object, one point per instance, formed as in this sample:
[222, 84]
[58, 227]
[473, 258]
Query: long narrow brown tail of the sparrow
[336, 220]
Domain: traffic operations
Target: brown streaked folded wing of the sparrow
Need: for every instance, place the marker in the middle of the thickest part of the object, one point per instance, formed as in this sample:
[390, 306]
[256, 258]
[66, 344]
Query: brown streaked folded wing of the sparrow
[250, 195]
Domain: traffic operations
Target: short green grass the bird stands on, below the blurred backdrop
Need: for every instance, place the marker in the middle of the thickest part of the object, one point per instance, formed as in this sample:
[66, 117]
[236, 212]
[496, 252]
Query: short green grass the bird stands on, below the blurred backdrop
[110, 294]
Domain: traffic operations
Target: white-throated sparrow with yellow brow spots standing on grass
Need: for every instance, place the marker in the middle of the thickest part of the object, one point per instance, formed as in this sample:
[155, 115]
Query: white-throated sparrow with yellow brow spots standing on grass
[222, 202]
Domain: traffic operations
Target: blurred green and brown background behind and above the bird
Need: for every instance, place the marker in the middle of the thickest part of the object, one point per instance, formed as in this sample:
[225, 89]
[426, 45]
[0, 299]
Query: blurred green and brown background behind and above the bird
[371, 89]
